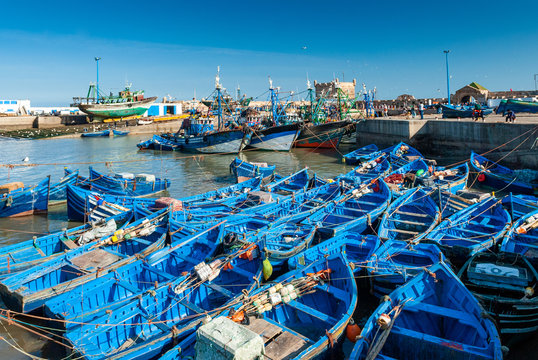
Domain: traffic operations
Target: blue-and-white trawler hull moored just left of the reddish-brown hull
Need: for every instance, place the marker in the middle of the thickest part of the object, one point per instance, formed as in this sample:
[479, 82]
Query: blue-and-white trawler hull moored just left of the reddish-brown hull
[275, 138]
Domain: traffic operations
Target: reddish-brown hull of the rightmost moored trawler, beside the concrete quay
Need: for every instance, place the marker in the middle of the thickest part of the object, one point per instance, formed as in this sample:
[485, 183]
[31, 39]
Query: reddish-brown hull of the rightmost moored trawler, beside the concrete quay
[323, 136]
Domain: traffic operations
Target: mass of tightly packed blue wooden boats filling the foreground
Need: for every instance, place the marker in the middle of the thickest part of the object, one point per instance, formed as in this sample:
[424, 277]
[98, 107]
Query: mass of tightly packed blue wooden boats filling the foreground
[267, 266]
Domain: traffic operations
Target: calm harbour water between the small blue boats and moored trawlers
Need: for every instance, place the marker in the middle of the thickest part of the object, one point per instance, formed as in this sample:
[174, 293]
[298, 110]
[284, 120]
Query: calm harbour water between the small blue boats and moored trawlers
[190, 174]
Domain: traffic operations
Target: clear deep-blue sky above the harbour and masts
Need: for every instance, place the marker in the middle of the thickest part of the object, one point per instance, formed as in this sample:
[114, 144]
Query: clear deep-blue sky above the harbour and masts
[174, 47]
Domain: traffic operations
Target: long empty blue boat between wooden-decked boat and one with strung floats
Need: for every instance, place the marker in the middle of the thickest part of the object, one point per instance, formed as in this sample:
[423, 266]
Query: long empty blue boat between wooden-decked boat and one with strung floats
[113, 290]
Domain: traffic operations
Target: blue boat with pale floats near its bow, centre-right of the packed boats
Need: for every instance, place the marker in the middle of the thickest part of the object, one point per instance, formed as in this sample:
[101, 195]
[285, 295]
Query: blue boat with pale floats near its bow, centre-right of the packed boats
[356, 211]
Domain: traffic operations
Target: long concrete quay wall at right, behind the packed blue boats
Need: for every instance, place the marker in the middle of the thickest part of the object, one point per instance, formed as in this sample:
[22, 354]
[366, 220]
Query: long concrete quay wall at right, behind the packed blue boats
[454, 139]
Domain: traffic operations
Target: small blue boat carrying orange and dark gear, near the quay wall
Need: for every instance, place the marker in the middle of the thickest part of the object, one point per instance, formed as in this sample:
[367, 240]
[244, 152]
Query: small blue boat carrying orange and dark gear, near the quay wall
[406, 176]
